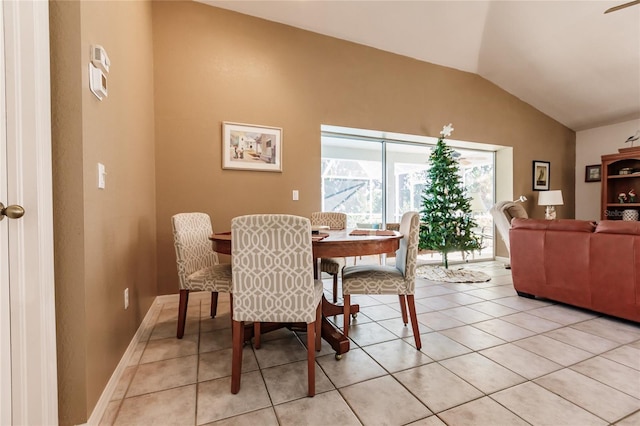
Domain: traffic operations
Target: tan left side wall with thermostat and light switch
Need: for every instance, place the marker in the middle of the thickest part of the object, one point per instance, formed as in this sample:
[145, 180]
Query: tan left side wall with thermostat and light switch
[104, 239]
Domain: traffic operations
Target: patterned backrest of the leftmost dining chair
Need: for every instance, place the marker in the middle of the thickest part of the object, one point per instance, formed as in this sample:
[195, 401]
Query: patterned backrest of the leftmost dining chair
[191, 233]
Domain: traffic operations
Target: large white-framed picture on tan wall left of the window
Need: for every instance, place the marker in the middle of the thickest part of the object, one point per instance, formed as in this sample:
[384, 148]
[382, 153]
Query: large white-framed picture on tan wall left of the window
[251, 147]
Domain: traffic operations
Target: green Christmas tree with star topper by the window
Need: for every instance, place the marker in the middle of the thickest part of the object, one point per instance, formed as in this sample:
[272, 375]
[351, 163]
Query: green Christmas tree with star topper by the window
[447, 224]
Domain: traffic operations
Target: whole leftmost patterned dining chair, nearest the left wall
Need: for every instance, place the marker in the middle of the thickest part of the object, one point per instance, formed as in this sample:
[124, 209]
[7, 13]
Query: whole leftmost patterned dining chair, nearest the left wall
[198, 266]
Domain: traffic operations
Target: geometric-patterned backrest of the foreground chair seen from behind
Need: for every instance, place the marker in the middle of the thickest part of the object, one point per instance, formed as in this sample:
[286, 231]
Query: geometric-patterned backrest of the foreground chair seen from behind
[272, 268]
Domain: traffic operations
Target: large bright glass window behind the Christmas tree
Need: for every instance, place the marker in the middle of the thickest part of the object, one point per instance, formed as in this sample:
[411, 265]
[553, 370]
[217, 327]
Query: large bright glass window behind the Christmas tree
[375, 178]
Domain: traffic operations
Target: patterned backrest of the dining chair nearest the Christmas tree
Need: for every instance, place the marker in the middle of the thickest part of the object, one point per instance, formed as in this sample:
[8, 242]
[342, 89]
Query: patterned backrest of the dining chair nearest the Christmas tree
[407, 254]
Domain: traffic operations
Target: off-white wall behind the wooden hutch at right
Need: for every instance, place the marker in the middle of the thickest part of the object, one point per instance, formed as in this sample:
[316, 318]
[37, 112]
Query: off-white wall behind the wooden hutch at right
[591, 145]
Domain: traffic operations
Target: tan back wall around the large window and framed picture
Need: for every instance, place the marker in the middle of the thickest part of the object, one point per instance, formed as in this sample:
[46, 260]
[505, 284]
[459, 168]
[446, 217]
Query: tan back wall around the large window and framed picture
[212, 65]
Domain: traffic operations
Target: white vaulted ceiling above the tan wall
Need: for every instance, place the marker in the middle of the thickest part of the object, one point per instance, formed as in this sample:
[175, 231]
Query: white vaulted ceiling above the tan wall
[566, 58]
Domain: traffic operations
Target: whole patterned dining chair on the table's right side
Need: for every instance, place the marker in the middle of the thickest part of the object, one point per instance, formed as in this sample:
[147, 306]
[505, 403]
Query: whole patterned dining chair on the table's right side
[382, 279]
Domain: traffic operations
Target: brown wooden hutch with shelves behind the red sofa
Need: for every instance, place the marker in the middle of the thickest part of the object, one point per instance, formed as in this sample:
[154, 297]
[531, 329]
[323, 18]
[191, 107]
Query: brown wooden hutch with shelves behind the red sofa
[620, 174]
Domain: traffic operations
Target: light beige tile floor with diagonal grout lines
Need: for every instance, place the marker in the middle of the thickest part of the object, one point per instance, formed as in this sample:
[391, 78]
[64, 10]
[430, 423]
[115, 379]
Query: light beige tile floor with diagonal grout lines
[489, 357]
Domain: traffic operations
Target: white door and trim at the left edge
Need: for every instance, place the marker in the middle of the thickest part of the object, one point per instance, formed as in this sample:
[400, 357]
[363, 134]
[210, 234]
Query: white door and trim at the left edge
[28, 377]
